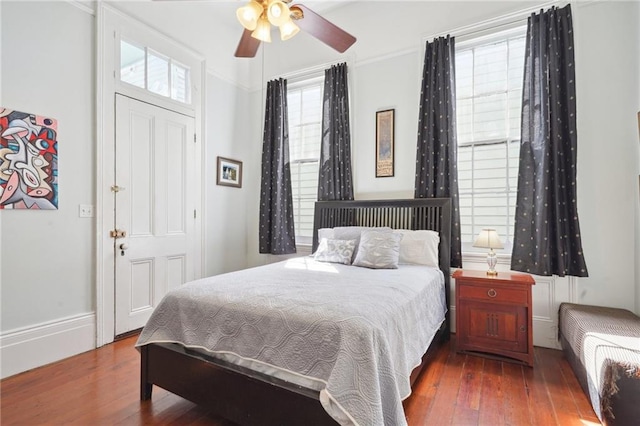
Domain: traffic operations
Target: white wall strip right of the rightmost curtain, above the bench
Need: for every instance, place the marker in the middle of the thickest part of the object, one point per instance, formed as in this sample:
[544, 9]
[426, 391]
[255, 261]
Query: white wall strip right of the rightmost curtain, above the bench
[607, 85]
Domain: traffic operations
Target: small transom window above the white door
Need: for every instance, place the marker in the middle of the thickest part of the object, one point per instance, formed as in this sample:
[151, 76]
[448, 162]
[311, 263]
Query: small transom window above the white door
[152, 71]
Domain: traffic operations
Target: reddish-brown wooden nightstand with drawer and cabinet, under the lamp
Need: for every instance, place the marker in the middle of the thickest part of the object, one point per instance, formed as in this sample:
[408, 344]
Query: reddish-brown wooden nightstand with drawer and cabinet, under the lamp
[493, 314]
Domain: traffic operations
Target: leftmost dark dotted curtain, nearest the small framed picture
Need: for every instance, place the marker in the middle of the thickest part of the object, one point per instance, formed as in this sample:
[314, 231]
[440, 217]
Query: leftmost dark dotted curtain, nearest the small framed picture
[277, 235]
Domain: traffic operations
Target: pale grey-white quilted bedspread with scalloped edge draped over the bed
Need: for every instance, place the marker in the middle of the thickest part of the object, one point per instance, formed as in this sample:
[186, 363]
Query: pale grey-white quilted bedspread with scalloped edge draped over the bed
[355, 333]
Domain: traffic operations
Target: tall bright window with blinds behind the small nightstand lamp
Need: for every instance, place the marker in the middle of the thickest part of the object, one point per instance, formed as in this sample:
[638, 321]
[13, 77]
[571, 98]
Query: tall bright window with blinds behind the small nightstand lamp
[489, 73]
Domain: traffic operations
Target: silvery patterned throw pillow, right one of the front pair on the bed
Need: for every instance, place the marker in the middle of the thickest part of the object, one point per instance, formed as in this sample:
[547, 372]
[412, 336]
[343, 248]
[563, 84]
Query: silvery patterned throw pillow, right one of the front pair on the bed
[378, 249]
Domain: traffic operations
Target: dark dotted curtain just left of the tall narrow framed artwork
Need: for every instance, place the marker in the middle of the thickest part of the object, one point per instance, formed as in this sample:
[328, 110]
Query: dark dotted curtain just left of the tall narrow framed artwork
[334, 180]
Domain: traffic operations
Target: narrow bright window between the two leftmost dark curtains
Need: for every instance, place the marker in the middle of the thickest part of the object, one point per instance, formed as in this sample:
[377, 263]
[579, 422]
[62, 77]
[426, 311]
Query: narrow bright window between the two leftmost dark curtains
[304, 100]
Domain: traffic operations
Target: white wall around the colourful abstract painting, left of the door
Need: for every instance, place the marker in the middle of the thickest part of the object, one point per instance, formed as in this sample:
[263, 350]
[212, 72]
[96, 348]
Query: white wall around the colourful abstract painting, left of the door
[48, 256]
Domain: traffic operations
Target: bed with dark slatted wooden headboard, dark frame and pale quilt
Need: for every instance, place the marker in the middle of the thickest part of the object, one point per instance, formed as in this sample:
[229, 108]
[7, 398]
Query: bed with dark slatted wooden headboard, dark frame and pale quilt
[295, 378]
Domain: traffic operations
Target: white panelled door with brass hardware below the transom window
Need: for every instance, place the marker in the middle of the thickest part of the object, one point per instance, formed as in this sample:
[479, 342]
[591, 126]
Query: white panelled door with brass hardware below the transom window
[154, 207]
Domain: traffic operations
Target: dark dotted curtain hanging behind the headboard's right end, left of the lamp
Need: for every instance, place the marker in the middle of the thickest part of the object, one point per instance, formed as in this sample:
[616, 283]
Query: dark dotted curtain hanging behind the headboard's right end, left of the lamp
[436, 158]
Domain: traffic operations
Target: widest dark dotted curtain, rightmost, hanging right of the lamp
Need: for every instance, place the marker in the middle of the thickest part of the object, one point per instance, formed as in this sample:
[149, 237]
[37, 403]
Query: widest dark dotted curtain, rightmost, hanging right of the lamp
[547, 233]
